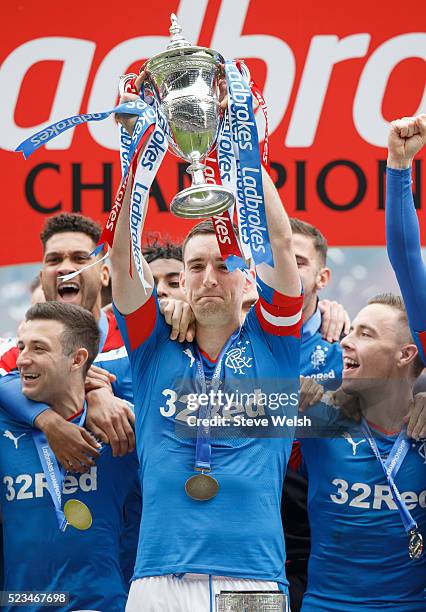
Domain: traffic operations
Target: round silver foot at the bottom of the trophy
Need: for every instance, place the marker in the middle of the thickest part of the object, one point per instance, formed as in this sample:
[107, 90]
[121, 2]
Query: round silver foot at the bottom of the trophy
[201, 201]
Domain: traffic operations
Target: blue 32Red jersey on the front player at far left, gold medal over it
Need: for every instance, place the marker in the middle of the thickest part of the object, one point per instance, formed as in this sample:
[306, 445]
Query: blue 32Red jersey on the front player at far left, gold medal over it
[38, 556]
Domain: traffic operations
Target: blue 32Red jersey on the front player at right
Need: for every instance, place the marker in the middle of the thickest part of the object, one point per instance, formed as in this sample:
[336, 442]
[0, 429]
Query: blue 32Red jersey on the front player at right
[359, 548]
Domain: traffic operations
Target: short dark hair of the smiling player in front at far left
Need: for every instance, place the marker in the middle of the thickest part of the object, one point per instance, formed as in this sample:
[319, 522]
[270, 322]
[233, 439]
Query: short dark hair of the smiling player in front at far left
[81, 329]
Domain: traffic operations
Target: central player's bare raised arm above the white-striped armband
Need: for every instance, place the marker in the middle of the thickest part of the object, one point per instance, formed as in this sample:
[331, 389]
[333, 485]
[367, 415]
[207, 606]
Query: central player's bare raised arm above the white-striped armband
[284, 276]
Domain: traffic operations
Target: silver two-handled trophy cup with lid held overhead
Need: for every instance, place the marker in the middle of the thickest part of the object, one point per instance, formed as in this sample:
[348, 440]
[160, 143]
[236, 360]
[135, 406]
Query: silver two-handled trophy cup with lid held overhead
[185, 81]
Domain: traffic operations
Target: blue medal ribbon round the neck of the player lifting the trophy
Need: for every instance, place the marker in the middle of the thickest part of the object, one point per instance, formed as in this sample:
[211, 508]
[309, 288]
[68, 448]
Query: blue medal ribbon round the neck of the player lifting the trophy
[203, 447]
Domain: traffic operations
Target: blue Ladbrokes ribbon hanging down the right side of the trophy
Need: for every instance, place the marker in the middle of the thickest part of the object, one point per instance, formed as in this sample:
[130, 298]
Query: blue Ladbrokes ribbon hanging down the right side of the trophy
[250, 201]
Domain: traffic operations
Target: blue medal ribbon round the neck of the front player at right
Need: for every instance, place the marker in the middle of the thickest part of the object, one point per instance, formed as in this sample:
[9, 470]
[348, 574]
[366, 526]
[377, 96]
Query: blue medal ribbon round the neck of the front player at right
[391, 467]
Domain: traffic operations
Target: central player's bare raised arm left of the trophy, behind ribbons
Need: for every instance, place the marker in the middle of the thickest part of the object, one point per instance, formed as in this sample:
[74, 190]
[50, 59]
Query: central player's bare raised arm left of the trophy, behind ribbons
[127, 290]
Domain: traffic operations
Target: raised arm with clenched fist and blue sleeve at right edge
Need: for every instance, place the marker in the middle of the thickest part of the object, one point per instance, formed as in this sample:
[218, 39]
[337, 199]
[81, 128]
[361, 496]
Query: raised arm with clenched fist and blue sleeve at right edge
[406, 137]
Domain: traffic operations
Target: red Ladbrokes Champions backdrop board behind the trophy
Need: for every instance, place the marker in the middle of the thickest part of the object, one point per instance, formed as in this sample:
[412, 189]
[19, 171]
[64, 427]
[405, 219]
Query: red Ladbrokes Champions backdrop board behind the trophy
[333, 75]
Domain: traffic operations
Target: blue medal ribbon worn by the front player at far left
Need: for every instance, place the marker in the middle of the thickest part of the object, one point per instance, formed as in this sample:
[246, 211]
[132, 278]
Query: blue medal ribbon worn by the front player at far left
[53, 472]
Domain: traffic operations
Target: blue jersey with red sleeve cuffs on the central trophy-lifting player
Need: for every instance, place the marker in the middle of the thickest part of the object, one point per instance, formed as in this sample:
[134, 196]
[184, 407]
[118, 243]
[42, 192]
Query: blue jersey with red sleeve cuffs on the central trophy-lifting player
[238, 532]
